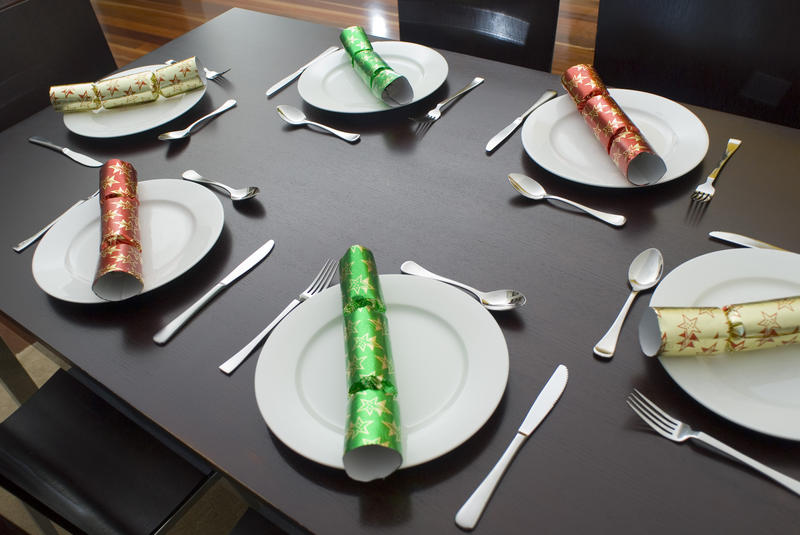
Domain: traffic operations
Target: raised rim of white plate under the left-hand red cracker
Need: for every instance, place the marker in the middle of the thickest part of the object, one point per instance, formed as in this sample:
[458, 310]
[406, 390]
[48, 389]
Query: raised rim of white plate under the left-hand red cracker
[216, 219]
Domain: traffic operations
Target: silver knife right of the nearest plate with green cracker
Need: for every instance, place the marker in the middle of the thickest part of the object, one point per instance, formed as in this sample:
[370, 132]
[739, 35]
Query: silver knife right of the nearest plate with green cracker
[467, 517]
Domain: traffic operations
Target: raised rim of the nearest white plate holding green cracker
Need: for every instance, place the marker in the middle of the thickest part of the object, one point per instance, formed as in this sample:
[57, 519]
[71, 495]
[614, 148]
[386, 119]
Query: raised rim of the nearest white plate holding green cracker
[265, 371]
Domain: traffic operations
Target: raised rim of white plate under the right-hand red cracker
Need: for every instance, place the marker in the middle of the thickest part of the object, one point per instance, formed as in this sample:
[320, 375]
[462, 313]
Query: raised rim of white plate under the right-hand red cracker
[530, 145]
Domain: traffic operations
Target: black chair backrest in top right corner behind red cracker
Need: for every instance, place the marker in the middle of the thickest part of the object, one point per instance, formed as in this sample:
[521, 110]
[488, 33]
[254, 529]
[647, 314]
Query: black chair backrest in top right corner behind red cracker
[737, 56]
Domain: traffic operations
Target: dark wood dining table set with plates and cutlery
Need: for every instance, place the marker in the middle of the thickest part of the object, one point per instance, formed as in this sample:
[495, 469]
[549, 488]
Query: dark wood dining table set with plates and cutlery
[439, 199]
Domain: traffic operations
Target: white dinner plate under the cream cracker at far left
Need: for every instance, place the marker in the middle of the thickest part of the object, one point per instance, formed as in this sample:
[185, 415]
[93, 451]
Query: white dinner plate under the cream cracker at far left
[127, 120]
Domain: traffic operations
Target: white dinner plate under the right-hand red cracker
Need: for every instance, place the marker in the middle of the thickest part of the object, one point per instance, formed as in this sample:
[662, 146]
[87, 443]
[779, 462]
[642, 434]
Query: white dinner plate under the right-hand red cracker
[556, 137]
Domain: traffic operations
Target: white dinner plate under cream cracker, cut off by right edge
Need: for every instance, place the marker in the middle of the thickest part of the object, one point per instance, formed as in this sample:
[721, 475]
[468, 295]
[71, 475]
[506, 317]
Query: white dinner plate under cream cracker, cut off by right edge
[759, 390]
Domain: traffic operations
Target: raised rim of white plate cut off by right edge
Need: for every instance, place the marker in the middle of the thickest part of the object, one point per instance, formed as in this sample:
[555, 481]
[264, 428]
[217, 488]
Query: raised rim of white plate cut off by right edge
[675, 367]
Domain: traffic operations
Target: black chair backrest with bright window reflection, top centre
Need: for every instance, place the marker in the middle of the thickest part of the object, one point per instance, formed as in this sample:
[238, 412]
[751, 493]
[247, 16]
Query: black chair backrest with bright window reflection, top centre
[520, 33]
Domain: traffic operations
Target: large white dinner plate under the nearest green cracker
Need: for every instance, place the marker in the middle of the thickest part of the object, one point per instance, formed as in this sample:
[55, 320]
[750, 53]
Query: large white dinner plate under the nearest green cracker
[451, 364]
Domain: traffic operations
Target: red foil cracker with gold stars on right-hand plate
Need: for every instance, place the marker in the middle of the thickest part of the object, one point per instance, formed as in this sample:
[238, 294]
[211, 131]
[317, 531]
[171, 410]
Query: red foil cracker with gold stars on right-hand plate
[622, 140]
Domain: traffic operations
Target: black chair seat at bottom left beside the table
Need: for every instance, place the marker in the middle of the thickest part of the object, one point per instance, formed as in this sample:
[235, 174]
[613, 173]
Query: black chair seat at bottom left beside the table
[68, 452]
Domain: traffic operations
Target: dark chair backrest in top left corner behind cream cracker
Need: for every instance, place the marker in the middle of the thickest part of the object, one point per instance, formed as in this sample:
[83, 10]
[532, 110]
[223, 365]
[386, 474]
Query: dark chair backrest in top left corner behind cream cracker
[47, 42]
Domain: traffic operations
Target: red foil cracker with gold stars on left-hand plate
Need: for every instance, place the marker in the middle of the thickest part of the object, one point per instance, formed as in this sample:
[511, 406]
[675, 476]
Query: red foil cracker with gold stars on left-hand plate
[119, 270]
